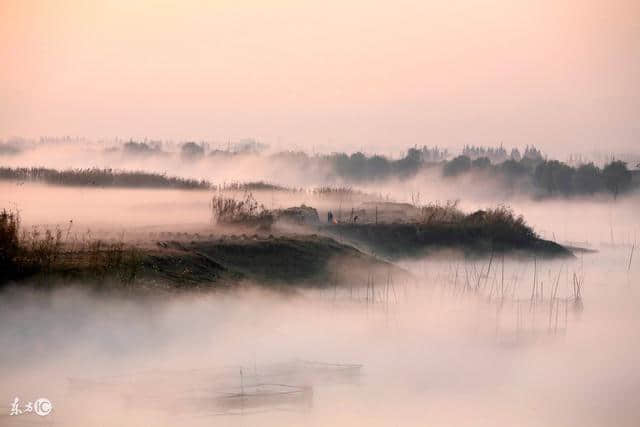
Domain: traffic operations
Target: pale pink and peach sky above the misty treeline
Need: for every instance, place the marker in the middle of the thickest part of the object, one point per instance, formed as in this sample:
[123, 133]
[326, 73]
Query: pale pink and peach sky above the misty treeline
[375, 75]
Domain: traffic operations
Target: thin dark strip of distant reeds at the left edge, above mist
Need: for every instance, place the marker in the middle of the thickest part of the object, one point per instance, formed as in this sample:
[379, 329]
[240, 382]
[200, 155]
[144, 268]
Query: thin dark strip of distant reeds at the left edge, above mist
[100, 178]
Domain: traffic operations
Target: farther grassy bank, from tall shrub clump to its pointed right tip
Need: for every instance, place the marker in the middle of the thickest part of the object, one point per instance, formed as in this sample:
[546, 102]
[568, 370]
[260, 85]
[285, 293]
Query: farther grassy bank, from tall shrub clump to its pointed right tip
[401, 230]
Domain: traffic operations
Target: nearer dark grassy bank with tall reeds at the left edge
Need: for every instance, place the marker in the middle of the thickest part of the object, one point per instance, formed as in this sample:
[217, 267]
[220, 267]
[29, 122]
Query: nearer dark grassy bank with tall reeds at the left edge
[216, 261]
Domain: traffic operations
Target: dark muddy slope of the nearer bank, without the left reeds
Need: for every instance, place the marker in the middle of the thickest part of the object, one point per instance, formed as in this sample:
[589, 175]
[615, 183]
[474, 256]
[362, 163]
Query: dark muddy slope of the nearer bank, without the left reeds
[218, 263]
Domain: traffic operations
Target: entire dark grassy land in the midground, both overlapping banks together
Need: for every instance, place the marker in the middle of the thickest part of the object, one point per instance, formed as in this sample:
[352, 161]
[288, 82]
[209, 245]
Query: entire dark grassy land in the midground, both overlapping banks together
[275, 247]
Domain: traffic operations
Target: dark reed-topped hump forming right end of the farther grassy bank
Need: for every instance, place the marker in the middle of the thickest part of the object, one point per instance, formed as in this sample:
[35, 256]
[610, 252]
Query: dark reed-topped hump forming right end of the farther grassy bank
[436, 228]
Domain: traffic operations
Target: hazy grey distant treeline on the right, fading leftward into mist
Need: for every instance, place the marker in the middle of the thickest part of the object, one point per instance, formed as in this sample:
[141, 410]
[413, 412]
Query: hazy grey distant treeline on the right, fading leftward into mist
[529, 170]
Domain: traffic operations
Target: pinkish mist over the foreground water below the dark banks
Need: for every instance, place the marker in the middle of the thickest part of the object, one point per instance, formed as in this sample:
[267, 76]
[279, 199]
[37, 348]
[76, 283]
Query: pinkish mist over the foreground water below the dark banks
[438, 350]
